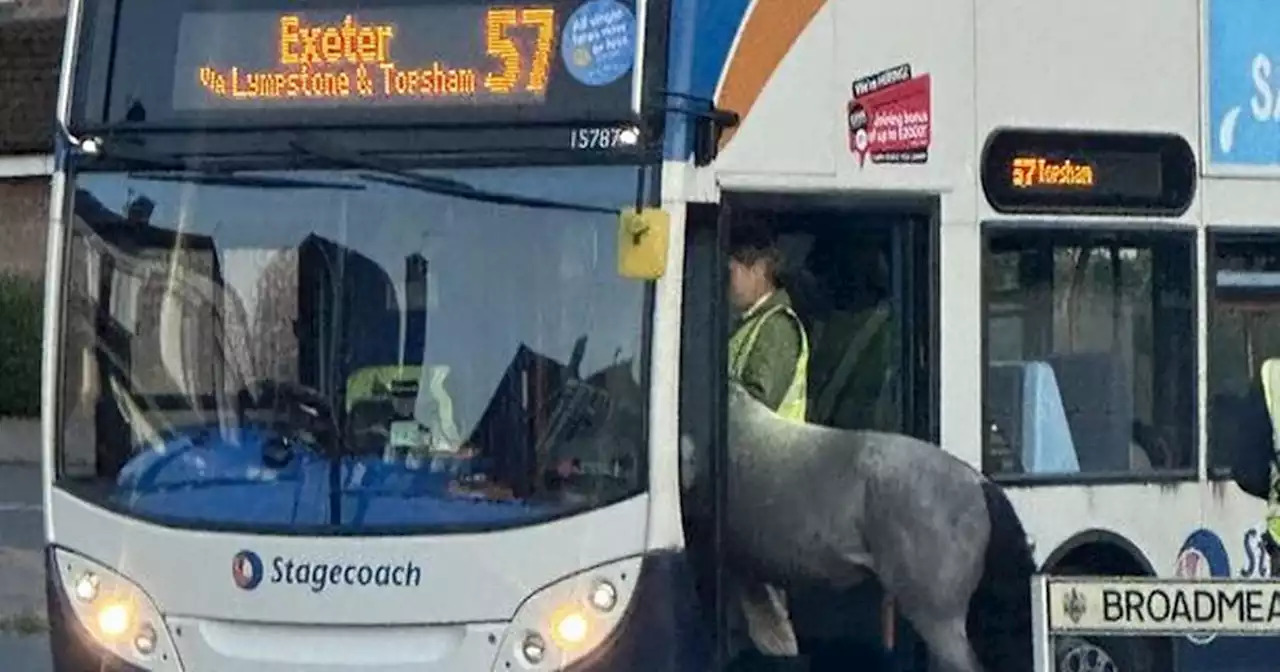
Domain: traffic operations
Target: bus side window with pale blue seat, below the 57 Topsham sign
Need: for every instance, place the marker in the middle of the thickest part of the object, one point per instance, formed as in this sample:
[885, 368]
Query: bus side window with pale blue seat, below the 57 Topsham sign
[1091, 359]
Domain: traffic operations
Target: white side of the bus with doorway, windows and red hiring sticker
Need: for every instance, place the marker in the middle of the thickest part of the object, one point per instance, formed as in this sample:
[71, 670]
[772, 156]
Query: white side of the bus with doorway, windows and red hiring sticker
[1066, 208]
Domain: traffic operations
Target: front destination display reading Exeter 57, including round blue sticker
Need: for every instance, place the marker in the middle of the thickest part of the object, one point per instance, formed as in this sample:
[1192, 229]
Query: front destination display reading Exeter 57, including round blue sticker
[429, 54]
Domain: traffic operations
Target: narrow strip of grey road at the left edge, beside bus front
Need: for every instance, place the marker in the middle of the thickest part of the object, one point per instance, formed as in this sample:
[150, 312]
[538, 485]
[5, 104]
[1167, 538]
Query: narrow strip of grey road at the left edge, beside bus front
[24, 647]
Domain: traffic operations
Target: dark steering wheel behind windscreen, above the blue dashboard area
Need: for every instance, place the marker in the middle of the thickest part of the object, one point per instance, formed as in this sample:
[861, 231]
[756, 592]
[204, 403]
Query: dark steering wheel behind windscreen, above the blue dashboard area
[300, 414]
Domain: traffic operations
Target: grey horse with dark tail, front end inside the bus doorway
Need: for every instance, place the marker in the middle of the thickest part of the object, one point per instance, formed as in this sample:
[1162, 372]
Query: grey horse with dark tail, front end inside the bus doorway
[813, 506]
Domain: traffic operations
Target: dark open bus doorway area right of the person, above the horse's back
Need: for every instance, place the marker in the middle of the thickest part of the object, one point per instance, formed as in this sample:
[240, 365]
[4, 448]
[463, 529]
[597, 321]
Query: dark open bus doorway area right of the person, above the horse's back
[861, 282]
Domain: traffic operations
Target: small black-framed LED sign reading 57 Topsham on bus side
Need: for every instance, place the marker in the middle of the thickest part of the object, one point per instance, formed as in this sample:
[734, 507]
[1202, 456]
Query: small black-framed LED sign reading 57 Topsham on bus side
[1089, 173]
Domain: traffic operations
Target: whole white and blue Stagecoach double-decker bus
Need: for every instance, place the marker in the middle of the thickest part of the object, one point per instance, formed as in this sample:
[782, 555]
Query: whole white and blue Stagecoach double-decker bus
[376, 328]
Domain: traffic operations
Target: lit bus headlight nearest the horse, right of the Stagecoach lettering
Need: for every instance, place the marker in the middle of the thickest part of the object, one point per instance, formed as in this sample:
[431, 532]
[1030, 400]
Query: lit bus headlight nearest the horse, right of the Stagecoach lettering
[570, 619]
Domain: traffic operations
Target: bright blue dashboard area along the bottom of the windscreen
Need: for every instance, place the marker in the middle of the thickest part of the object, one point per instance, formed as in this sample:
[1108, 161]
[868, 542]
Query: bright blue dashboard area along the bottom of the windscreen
[200, 476]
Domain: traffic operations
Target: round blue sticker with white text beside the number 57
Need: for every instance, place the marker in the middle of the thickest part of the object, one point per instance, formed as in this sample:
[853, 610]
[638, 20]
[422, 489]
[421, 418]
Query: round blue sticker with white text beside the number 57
[600, 43]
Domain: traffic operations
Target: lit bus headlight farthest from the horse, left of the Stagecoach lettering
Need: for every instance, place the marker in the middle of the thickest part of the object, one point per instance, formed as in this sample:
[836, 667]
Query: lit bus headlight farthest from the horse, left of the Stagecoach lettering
[116, 614]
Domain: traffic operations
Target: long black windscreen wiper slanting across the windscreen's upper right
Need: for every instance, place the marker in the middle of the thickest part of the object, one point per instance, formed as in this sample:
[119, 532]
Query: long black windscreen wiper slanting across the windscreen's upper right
[399, 177]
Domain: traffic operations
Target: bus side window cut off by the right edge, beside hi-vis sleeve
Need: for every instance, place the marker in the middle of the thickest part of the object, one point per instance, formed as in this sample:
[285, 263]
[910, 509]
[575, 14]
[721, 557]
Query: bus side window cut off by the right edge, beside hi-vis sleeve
[1245, 332]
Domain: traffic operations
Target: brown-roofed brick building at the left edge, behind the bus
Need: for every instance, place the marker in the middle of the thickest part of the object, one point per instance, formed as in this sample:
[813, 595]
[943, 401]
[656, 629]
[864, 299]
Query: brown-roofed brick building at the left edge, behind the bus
[31, 48]
